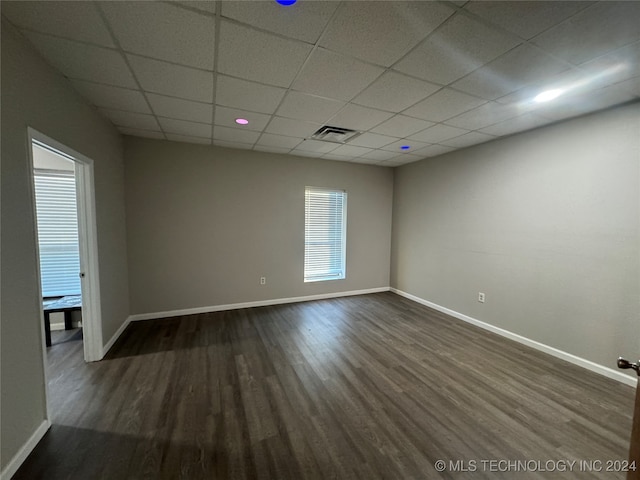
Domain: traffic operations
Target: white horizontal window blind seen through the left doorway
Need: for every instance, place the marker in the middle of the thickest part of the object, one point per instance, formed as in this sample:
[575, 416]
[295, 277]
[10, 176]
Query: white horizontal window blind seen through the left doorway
[57, 232]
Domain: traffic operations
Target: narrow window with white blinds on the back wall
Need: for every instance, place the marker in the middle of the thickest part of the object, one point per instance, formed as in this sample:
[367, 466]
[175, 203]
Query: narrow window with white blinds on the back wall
[325, 234]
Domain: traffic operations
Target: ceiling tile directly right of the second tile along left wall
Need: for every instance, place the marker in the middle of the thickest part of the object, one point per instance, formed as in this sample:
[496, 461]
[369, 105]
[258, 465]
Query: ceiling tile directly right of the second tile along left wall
[174, 80]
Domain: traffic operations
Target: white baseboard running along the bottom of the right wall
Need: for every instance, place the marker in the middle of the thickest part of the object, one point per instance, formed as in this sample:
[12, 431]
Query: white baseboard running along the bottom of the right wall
[569, 357]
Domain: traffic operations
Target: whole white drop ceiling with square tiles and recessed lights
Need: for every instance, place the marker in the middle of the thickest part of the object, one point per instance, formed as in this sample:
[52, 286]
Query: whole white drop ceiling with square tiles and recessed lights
[437, 76]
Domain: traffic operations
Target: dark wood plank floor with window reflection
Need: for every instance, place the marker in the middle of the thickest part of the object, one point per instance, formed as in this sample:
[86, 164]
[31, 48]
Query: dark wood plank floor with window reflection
[374, 386]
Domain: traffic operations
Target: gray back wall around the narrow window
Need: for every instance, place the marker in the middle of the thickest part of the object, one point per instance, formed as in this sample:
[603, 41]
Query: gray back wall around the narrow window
[205, 223]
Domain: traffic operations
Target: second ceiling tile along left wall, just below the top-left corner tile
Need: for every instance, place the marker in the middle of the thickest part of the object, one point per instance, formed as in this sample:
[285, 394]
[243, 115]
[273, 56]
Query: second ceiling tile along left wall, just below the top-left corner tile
[84, 62]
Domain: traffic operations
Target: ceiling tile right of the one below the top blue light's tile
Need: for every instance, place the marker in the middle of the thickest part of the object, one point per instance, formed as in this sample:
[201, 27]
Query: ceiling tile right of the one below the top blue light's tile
[332, 75]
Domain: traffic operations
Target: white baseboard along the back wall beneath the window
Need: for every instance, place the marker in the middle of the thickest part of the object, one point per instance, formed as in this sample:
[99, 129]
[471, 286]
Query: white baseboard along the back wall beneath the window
[258, 303]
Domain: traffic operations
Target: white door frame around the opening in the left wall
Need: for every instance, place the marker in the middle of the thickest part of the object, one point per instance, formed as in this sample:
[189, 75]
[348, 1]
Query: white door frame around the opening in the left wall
[88, 246]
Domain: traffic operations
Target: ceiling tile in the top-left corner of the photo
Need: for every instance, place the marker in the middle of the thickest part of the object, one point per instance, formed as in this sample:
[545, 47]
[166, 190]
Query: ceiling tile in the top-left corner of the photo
[74, 20]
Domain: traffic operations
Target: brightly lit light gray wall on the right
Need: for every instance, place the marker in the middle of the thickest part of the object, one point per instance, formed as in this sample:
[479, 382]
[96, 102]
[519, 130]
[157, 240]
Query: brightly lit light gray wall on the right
[546, 223]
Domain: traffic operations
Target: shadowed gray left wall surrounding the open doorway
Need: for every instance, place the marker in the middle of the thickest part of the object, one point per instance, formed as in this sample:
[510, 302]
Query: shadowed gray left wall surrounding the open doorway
[34, 95]
